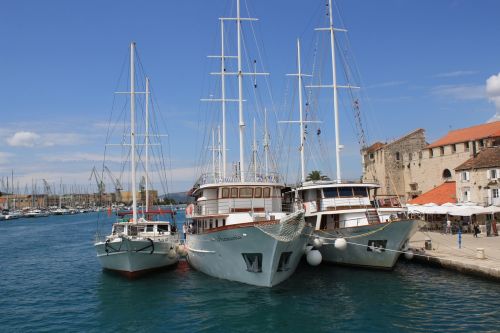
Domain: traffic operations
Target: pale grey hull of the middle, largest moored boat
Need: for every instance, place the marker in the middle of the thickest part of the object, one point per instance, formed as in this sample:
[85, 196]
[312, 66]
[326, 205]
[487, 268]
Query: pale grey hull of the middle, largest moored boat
[221, 254]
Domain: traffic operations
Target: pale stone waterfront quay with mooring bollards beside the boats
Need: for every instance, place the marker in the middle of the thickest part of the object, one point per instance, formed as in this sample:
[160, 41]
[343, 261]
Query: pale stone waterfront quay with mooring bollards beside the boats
[446, 253]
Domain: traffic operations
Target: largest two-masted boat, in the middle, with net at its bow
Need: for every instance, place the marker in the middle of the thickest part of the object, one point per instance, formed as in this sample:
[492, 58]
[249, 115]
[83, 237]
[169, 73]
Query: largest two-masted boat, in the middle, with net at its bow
[238, 229]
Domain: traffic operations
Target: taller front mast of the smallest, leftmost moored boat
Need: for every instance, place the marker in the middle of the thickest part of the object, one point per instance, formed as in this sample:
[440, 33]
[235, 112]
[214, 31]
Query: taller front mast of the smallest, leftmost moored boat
[132, 132]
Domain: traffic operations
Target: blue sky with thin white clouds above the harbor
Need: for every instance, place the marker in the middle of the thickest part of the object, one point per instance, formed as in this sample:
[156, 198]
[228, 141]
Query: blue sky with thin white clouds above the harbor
[422, 64]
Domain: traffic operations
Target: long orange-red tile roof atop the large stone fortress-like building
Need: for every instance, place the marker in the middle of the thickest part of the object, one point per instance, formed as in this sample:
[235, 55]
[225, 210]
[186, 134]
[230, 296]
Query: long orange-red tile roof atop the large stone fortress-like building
[488, 130]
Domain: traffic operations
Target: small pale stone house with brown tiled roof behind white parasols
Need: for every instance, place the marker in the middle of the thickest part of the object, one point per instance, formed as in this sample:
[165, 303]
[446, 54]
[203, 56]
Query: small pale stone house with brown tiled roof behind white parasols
[479, 178]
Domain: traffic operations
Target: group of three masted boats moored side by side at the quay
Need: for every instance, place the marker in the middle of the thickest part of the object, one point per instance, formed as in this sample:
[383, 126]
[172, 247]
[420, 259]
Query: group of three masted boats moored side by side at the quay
[248, 225]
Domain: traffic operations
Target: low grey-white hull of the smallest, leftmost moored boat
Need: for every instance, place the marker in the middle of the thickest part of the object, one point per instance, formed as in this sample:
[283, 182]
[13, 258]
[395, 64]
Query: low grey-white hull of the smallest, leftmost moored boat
[134, 256]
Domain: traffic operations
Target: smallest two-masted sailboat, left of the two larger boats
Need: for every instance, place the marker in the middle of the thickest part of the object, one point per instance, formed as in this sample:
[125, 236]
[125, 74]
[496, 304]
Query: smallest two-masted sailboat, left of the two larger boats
[137, 245]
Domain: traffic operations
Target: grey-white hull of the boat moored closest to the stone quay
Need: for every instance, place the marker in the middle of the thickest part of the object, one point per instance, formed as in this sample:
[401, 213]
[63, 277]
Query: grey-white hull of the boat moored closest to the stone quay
[358, 253]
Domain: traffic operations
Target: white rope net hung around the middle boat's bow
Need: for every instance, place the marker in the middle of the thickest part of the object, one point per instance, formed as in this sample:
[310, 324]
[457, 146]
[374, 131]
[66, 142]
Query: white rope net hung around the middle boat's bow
[288, 229]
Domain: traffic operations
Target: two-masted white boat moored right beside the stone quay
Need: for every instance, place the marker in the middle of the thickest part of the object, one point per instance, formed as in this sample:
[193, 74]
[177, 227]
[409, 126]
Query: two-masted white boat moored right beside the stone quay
[350, 227]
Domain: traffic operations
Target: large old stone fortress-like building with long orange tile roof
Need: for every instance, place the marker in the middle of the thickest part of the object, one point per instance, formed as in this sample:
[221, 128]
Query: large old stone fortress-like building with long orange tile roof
[409, 166]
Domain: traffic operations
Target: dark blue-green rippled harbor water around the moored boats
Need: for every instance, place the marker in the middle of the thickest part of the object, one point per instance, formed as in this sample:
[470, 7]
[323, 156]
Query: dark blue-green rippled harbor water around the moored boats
[51, 281]
